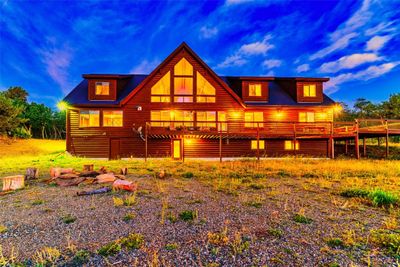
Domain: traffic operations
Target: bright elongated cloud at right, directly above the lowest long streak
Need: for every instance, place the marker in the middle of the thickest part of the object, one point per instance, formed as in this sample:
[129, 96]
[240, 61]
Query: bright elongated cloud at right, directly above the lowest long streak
[349, 62]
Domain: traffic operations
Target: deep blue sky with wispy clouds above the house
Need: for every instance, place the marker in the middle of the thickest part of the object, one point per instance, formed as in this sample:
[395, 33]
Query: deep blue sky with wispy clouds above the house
[45, 46]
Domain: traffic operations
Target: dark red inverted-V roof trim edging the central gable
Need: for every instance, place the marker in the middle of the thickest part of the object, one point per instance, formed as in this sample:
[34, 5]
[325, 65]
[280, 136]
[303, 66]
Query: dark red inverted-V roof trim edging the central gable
[181, 47]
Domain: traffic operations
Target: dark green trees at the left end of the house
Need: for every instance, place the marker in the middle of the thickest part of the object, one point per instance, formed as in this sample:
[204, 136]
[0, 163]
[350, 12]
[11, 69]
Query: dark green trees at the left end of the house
[22, 119]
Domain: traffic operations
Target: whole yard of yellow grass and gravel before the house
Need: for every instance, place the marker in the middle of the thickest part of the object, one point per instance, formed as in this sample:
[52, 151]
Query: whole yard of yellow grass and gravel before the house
[287, 212]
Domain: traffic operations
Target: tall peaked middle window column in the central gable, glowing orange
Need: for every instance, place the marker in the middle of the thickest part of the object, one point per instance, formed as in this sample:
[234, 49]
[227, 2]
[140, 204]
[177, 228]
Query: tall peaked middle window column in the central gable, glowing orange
[183, 81]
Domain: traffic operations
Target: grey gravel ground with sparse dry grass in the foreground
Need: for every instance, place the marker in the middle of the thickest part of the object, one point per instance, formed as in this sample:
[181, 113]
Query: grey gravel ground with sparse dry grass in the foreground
[33, 220]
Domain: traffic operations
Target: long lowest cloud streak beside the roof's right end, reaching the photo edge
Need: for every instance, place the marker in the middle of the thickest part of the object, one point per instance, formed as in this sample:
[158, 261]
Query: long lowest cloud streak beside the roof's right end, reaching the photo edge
[363, 75]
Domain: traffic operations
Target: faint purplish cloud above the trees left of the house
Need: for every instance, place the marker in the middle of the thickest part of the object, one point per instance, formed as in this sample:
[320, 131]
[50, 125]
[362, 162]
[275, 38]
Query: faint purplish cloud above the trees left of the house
[57, 62]
